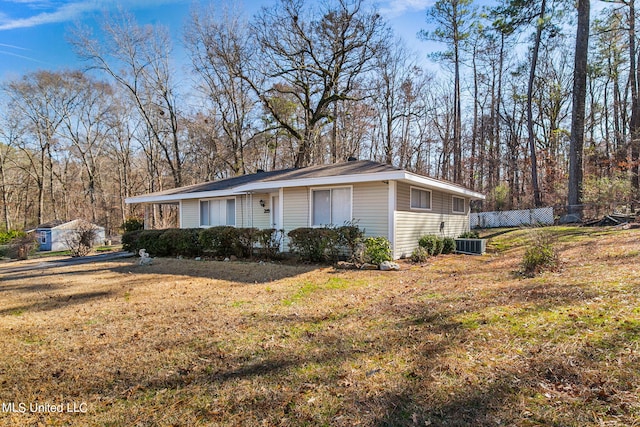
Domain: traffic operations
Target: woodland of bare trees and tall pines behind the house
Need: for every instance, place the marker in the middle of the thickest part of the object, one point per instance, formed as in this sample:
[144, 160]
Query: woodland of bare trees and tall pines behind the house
[304, 83]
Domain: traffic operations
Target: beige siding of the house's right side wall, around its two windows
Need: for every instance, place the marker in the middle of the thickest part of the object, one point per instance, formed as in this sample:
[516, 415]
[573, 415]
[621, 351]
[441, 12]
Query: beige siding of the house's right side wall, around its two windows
[411, 224]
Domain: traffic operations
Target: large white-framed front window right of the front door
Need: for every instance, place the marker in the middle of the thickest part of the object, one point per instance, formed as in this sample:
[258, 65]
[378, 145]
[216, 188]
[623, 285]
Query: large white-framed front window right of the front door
[331, 206]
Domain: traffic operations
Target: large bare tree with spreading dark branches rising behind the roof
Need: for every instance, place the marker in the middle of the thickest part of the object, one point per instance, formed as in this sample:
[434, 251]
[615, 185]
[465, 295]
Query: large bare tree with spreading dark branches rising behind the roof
[313, 58]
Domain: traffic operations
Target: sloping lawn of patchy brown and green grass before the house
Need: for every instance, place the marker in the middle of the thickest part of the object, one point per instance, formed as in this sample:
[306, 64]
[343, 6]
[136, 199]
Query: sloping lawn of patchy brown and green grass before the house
[458, 341]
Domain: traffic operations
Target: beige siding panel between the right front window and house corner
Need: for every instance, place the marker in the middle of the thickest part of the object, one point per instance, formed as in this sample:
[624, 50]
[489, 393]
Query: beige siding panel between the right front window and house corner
[370, 203]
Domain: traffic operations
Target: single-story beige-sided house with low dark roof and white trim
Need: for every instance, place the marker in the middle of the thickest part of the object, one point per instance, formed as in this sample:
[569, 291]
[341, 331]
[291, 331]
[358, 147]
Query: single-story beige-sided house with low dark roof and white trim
[384, 200]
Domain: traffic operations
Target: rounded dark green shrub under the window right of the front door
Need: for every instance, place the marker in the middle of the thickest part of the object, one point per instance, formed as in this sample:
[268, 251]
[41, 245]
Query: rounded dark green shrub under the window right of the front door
[315, 244]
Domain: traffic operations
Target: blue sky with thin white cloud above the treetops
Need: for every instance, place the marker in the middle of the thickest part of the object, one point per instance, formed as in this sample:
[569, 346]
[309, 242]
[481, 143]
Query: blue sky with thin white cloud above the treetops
[32, 32]
